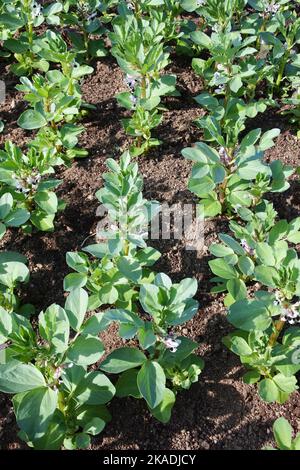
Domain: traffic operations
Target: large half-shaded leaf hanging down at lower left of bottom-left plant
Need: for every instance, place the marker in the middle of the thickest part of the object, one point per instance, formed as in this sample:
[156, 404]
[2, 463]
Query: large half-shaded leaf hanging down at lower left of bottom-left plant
[34, 411]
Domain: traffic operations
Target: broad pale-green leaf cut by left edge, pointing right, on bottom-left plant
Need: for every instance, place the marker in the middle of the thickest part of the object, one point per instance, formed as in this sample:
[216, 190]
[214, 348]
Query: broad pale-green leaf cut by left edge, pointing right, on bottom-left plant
[17, 377]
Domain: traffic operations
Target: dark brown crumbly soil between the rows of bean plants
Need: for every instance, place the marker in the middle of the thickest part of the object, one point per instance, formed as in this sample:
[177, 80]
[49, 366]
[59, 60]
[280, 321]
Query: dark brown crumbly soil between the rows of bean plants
[220, 411]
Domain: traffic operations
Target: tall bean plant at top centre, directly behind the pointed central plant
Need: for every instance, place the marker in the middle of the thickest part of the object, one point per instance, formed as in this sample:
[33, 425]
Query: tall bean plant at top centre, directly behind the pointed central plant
[138, 45]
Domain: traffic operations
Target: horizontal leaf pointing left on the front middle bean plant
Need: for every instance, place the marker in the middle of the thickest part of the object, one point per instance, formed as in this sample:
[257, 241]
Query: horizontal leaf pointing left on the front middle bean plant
[123, 359]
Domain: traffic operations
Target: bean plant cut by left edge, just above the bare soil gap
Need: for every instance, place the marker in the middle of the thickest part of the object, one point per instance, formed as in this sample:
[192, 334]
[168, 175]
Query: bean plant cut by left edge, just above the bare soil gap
[27, 192]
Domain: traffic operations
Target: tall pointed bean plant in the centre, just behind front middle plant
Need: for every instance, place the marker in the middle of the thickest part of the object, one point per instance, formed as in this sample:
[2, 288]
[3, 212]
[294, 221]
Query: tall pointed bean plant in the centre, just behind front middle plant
[122, 258]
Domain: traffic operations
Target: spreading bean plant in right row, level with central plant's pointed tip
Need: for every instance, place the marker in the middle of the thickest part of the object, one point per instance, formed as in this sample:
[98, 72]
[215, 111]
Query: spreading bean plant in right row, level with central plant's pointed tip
[230, 177]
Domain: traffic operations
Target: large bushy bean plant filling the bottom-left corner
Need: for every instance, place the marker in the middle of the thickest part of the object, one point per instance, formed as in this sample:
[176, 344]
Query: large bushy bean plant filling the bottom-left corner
[45, 370]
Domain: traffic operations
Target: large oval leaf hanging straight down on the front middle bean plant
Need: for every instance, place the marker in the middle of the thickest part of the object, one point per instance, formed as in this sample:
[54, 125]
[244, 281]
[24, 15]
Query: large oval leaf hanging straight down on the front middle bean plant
[151, 382]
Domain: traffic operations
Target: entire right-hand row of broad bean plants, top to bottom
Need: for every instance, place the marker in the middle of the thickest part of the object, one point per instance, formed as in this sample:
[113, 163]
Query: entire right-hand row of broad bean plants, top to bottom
[251, 63]
